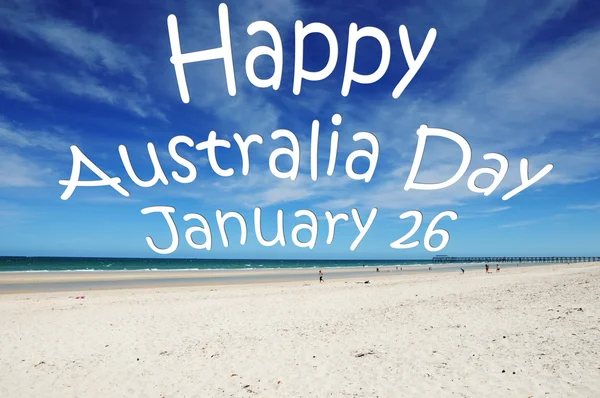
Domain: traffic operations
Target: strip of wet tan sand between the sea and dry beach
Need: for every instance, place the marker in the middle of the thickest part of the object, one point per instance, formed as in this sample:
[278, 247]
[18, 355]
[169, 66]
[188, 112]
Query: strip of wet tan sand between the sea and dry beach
[63, 281]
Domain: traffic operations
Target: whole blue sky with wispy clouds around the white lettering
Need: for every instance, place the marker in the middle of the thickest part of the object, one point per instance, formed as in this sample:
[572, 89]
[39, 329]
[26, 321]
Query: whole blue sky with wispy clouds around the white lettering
[520, 79]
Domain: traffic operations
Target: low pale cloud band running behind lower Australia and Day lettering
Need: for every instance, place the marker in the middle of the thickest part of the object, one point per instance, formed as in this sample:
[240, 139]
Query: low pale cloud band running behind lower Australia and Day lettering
[386, 191]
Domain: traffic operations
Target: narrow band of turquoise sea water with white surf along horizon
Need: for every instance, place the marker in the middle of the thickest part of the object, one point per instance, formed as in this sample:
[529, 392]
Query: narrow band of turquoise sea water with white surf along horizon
[24, 264]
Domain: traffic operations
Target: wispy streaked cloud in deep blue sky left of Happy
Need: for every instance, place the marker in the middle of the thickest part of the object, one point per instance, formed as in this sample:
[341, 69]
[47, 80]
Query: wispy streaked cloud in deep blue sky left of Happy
[89, 63]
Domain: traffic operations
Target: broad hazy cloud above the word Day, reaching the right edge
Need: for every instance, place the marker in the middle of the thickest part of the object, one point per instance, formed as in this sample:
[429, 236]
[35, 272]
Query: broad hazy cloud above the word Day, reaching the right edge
[550, 94]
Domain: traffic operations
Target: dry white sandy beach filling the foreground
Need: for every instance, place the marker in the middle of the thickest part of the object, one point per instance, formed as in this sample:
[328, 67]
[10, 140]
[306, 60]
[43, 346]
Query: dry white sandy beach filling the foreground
[523, 332]
